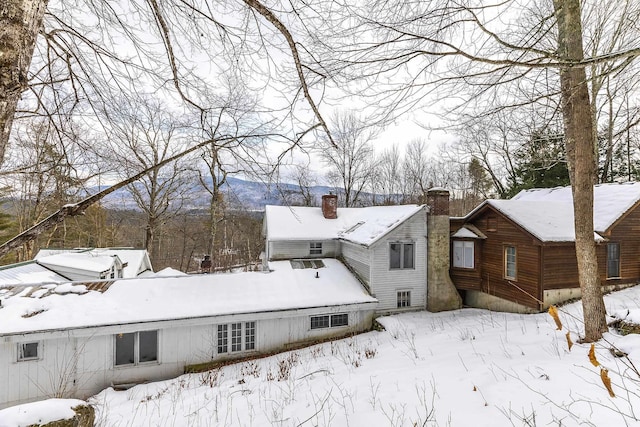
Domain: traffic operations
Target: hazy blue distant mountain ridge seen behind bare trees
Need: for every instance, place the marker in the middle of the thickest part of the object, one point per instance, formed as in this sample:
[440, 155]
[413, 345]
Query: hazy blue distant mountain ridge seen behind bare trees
[238, 193]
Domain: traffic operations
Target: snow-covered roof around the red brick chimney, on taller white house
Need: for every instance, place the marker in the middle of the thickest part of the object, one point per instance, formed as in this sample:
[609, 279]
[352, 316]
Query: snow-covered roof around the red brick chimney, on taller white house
[364, 226]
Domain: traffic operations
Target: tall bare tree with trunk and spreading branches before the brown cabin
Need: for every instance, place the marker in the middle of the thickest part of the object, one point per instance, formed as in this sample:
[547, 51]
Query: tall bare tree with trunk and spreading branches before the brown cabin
[467, 50]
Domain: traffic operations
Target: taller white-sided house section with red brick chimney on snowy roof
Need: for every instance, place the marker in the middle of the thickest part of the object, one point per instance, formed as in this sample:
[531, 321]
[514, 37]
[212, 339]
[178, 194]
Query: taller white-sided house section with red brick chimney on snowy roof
[384, 246]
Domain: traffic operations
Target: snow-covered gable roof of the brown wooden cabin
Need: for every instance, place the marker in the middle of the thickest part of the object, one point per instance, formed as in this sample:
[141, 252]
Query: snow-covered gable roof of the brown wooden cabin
[547, 213]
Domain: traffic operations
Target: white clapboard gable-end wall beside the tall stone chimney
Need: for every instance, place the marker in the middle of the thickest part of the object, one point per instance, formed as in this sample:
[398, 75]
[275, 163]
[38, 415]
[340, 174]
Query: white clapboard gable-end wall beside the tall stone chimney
[385, 283]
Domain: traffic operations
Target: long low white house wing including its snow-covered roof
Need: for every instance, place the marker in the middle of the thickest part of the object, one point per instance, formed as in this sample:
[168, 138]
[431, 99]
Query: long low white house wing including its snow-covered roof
[70, 340]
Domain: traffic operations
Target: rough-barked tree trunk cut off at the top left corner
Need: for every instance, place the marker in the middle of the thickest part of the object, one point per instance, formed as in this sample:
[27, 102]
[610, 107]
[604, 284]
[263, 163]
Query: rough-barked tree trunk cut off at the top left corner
[20, 22]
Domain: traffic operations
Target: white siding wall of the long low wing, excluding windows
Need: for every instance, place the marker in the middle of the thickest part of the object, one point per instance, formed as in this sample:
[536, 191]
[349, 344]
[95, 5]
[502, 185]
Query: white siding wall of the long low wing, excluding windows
[85, 364]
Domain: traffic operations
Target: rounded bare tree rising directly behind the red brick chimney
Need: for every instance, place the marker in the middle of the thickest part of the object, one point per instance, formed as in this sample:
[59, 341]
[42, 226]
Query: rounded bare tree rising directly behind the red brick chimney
[351, 159]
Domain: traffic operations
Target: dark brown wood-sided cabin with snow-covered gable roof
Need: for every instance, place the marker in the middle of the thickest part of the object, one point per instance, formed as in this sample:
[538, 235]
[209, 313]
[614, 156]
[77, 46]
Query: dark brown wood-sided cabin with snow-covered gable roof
[521, 251]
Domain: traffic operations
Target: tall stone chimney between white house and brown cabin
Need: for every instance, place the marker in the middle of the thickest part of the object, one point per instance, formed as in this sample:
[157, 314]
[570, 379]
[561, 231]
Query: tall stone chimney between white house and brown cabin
[441, 292]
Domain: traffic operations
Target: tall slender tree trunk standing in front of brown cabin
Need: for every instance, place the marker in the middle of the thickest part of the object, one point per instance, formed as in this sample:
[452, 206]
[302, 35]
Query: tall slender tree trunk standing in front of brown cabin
[580, 139]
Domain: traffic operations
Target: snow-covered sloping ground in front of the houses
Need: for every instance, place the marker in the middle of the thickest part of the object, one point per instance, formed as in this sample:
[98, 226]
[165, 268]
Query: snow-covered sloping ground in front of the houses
[463, 368]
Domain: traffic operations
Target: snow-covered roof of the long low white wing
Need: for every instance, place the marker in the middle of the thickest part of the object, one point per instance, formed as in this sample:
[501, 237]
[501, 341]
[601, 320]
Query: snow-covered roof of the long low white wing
[137, 300]
